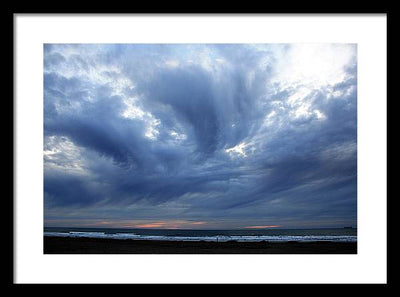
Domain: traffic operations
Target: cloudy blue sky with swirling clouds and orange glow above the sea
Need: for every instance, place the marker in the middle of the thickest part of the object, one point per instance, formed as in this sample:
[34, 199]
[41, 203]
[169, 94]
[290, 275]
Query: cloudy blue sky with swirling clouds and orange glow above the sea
[200, 136]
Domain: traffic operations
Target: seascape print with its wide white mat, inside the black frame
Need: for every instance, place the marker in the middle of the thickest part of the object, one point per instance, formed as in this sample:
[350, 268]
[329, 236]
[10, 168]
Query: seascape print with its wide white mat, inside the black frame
[200, 148]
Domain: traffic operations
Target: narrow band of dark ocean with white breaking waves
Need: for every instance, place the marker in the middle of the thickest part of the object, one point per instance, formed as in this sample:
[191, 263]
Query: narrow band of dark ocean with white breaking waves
[323, 234]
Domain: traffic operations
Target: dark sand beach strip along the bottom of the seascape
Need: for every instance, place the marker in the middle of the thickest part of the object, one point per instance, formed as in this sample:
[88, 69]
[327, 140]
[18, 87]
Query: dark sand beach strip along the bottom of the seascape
[69, 245]
